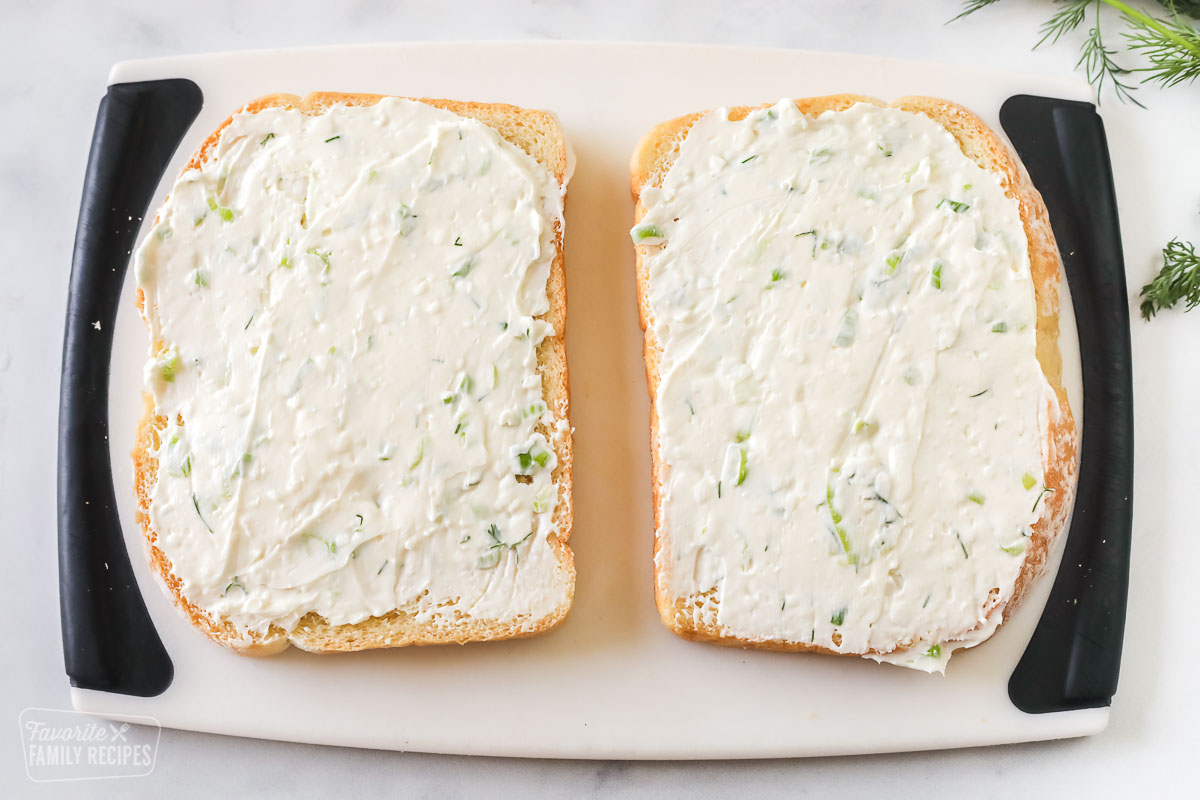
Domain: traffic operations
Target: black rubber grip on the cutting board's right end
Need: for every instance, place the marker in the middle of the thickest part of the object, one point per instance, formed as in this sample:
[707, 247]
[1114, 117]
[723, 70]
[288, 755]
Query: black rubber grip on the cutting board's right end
[1075, 658]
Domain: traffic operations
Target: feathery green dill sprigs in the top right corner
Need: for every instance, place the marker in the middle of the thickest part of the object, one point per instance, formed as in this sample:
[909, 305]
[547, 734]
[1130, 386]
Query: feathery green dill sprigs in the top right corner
[1171, 45]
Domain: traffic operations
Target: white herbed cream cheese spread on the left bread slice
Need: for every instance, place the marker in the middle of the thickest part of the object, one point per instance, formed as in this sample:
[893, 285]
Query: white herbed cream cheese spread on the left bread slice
[349, 304]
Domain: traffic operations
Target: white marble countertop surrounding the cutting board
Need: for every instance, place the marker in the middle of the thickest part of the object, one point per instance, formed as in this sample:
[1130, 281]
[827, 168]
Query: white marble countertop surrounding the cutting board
[52, 75]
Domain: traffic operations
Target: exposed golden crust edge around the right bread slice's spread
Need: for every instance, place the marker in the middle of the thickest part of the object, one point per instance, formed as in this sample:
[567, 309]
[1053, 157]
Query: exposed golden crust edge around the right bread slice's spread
[653, 159]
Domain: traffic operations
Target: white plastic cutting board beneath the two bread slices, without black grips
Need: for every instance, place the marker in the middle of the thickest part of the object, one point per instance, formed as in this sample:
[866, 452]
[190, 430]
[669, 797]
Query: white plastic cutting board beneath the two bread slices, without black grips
[611, 683]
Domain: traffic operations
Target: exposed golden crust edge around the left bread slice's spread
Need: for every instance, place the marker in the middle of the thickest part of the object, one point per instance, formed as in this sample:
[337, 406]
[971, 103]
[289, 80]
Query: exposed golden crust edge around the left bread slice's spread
[539, 135]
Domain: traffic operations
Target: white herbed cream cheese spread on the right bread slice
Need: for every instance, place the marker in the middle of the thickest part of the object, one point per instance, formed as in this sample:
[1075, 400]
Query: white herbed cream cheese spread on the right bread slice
[853, 416]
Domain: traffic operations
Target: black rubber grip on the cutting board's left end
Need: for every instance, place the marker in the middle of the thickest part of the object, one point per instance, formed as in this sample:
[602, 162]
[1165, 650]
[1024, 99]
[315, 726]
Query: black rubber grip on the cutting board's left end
[109, 640]
